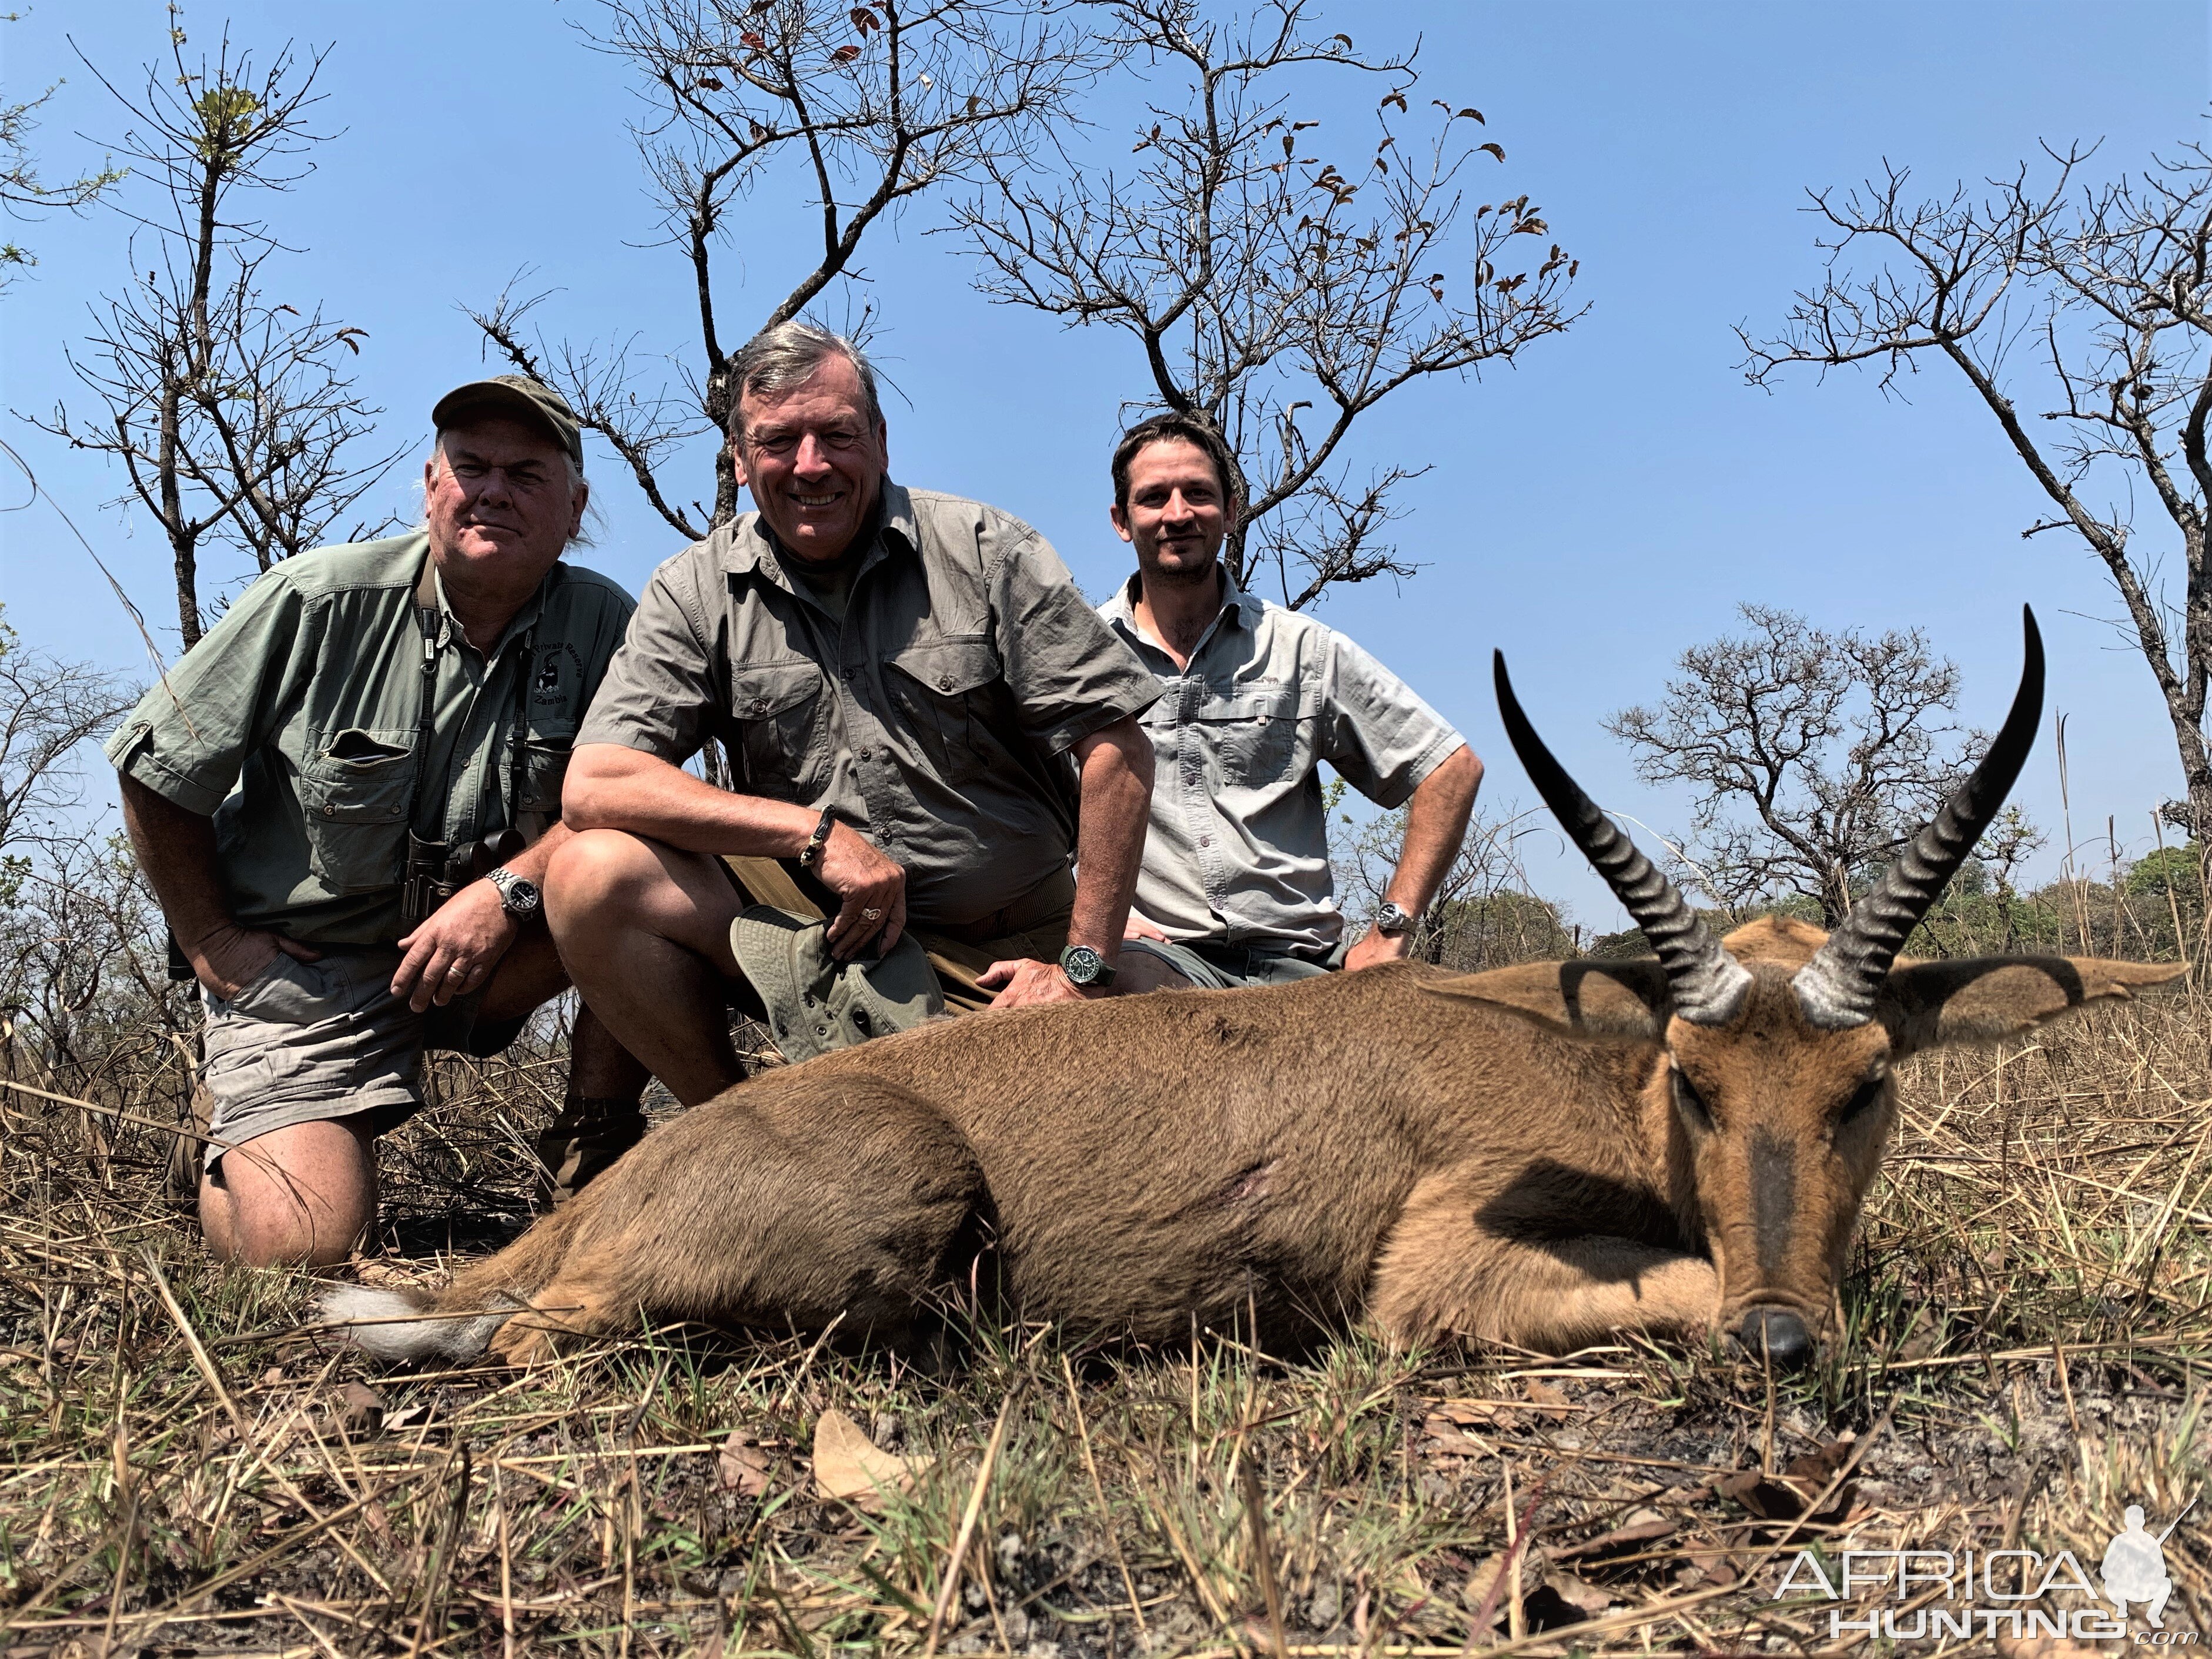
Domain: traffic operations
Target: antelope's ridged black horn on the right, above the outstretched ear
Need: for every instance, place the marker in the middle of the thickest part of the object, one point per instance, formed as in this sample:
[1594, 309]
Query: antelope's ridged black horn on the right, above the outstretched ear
[1846, 977]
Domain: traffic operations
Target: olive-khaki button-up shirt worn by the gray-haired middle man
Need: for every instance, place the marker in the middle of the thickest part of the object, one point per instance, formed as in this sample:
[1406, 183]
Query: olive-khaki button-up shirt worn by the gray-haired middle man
[937, 718]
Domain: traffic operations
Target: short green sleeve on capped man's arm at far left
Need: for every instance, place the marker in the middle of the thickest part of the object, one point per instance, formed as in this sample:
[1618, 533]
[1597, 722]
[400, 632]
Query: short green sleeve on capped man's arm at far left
[194, 729]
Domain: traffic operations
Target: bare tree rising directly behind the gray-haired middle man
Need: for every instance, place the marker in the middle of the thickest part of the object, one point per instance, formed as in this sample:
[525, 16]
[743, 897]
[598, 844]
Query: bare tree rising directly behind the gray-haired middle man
[870, 105]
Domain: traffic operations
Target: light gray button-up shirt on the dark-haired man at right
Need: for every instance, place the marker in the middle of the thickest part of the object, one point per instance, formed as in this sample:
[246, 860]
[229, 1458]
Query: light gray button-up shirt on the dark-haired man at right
[1240, 844]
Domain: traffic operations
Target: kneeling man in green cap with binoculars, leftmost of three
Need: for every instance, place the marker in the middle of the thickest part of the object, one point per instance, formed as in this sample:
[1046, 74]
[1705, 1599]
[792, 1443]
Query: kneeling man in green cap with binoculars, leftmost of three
[346, 797]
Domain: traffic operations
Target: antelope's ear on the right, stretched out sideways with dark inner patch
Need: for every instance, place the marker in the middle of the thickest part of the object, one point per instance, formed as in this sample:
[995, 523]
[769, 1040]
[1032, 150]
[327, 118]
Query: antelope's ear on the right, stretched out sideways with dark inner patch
[1985, 999]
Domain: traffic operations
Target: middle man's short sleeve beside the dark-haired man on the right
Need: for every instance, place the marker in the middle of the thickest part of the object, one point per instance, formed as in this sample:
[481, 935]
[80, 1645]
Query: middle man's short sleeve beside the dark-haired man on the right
[1067, 669]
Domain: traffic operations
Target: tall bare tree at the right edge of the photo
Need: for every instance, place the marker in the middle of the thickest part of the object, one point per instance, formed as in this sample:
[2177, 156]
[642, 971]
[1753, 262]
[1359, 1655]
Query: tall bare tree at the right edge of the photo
[2094, 304]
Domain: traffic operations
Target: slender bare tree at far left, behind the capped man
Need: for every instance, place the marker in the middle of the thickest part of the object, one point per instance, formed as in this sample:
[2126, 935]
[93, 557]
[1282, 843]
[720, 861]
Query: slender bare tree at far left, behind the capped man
[233, 415]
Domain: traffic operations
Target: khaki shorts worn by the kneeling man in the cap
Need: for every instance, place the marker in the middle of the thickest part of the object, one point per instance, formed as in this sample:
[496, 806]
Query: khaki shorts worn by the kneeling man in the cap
[322, 1041]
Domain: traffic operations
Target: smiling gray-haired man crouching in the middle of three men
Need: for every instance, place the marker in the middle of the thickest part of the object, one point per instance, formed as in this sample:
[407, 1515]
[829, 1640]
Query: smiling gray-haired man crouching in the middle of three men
[919, 711]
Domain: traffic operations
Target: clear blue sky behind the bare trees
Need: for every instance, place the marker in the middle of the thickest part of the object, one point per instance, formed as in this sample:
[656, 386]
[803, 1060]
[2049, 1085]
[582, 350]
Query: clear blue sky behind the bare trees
[1592, 512]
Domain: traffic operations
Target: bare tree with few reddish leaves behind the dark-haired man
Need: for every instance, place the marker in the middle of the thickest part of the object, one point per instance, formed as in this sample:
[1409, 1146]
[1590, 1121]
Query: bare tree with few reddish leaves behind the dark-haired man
[1286, 295]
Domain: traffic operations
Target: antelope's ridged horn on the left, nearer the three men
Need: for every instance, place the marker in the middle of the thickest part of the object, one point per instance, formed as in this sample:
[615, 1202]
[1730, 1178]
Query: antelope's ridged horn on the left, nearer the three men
[1707, 981]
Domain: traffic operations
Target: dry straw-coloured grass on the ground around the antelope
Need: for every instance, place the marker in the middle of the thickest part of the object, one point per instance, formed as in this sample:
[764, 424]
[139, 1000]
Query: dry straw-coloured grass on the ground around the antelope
[185, 1472]
